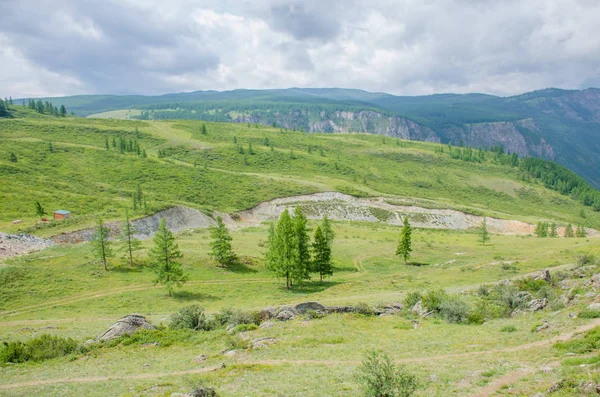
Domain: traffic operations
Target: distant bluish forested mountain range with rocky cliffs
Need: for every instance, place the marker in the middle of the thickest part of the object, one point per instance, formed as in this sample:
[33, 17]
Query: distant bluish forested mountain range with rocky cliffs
[559, 125]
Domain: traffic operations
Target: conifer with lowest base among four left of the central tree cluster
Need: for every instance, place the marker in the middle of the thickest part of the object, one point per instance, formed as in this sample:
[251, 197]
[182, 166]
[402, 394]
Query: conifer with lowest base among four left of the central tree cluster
[165, 255]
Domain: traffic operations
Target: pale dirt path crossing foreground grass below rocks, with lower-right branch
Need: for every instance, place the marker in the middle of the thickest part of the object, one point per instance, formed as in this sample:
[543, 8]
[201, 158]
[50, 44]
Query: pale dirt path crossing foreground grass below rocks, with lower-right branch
[487, 391]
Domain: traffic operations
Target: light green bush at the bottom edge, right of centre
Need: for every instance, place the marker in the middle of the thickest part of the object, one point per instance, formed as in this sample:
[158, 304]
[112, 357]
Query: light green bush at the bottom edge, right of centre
[378, 376]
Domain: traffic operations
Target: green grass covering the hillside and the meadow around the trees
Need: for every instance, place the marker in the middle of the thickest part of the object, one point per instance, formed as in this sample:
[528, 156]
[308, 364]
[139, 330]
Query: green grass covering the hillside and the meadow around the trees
[65, 291]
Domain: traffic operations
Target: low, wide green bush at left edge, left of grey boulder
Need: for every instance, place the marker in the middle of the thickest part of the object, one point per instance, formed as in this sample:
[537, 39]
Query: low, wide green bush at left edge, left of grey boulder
[42, 348]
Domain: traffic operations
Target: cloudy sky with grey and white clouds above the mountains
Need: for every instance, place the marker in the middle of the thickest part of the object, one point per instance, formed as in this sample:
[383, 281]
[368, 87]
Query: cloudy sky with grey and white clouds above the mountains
[405, 47]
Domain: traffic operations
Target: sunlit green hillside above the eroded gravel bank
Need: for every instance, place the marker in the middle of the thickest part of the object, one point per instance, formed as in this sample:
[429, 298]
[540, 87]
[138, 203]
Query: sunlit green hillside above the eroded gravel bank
[65, 163]
